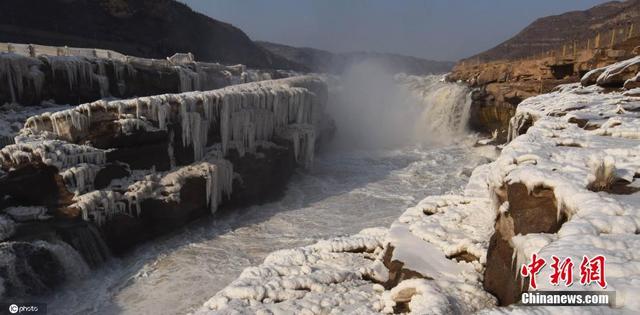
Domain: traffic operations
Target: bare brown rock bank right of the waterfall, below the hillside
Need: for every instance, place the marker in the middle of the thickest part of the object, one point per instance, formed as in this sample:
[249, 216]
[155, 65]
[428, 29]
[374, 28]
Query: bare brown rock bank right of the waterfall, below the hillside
[501, 85]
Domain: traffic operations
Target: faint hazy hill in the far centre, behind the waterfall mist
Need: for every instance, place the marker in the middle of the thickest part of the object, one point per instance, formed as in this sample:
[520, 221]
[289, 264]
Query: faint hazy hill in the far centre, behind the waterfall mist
[324, 61]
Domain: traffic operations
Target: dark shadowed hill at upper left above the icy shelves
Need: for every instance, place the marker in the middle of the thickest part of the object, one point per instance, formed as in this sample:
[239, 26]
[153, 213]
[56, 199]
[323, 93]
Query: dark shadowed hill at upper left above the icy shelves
[144, 28]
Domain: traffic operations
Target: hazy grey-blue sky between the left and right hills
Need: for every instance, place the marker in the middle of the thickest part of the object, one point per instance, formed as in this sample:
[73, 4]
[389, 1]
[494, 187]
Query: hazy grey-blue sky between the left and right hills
[434, 29]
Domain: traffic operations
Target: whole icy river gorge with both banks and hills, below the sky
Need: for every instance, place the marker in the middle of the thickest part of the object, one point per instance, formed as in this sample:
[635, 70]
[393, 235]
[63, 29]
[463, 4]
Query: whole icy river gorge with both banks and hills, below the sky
[131, 185]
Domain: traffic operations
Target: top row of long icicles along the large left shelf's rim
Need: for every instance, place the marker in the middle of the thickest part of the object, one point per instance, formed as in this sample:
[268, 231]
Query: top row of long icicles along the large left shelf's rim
[244, 115]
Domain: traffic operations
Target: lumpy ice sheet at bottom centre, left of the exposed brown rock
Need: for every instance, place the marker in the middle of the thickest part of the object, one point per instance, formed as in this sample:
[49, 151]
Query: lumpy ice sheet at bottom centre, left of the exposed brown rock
[345, 274]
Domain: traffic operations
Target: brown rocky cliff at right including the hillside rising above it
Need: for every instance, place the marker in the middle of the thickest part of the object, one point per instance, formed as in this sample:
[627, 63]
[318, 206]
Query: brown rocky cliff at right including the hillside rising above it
[502, 84]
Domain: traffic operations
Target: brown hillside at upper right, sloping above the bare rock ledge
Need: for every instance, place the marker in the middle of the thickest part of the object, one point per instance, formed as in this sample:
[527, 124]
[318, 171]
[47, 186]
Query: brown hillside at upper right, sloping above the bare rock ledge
[553, 31]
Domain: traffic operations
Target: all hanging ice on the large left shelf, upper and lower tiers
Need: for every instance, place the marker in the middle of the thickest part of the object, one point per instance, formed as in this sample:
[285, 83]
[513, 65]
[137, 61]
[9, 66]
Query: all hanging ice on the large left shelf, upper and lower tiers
[210, 124]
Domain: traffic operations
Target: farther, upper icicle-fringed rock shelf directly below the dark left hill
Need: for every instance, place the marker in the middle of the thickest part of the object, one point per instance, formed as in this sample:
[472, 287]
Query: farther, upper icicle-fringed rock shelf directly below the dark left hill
[66, 76]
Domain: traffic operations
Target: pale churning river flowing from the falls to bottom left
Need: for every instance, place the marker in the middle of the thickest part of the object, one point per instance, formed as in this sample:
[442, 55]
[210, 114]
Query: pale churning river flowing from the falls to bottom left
[350, 187]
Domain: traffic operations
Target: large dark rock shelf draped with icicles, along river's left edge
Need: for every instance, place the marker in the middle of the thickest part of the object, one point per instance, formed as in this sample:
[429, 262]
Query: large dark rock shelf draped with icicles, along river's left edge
[124, 171]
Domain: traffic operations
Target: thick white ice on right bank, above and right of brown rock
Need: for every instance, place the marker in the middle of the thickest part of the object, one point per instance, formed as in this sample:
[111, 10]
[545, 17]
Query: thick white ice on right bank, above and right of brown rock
[584, 147]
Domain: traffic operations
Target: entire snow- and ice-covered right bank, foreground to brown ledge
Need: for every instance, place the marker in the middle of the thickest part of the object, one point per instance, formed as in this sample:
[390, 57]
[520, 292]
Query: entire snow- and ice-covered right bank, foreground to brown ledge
[584, 145]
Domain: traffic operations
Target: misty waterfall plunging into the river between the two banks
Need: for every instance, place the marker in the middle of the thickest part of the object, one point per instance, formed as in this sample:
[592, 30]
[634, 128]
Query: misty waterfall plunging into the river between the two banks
[377, 110]
